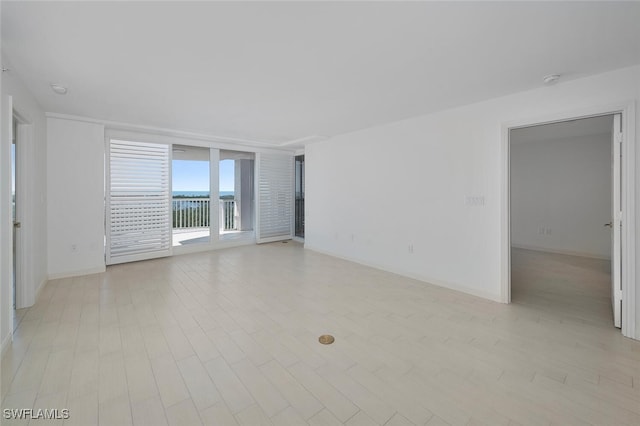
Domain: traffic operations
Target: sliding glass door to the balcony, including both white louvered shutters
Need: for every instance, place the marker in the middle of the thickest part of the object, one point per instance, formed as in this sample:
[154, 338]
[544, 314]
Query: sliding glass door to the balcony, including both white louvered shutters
[163, 198]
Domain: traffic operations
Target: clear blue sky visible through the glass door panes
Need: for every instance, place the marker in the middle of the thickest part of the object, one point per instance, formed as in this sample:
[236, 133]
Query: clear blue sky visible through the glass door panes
[194, 175]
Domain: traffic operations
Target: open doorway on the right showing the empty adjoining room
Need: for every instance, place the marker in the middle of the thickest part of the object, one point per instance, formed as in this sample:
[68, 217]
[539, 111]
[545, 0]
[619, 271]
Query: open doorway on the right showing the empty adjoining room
[564, 229]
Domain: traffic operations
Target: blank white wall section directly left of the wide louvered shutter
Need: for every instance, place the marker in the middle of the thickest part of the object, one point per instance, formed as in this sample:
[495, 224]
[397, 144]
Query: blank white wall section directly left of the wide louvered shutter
[75, 198]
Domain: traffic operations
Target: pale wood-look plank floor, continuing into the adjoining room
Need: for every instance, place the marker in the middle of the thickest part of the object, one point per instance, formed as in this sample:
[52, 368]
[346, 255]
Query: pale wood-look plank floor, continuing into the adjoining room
[230, 337]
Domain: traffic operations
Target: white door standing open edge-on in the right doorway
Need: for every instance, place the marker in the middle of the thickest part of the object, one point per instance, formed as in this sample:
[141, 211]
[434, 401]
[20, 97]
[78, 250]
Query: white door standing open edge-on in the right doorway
[616, 216]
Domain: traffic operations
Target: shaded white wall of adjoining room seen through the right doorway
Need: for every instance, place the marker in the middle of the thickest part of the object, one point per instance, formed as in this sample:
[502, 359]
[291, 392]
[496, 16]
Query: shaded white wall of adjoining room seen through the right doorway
[561, 195]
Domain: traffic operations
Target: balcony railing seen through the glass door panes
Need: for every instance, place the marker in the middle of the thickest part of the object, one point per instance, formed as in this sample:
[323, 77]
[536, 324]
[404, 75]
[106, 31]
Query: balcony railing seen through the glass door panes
[191, 213]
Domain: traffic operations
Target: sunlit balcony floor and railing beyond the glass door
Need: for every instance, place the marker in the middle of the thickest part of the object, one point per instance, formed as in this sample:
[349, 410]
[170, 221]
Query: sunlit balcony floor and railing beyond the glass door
[191, 219]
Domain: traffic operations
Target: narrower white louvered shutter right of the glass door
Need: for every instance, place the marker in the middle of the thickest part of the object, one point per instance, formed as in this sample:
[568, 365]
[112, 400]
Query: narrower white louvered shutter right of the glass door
[275, 197]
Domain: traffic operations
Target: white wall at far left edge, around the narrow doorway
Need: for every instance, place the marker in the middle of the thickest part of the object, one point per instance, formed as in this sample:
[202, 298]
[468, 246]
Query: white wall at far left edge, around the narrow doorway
[33, 205]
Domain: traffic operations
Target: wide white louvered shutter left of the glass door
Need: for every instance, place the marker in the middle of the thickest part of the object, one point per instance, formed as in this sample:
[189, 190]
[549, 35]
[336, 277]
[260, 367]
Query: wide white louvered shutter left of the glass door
[138, 201]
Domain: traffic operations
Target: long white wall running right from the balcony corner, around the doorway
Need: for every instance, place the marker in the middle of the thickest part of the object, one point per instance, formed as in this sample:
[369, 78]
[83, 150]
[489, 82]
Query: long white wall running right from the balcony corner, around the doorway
[373, 193]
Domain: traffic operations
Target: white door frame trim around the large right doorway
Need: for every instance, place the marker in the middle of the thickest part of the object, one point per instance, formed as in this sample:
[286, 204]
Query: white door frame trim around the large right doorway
[628, 186]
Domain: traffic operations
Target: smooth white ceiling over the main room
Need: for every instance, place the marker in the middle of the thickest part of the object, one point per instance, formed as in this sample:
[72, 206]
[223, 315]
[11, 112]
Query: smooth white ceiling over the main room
[277, 72]
